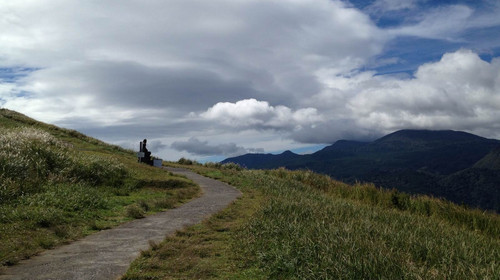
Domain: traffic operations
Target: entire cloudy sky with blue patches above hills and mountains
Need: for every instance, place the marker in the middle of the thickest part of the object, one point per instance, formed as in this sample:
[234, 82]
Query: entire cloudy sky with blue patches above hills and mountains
[208, 80]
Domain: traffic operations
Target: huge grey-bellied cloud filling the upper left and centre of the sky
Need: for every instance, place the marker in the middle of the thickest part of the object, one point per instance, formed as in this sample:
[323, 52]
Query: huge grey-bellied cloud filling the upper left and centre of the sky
[165, 54]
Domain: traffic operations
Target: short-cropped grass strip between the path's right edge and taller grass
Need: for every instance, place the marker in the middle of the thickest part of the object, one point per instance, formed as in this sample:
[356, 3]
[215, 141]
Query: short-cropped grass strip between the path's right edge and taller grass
[203, 251]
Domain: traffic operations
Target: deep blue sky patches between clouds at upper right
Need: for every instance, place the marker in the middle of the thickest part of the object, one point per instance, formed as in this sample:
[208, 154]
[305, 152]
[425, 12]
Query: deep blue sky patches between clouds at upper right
[412, 51]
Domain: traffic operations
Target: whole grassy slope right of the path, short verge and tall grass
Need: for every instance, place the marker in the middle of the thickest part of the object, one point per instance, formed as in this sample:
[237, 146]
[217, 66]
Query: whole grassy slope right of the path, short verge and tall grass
[300, 225]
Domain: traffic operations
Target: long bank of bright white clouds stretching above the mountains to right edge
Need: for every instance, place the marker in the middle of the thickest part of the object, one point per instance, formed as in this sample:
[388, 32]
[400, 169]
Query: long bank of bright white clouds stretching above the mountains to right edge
[461, 91]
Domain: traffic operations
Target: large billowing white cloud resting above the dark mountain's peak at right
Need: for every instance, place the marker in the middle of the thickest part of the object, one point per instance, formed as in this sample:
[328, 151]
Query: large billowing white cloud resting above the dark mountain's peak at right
[461, 91]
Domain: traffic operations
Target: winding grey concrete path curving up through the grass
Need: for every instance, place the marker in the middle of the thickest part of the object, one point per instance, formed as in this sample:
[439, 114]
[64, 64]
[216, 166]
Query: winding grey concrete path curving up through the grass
[108, 254]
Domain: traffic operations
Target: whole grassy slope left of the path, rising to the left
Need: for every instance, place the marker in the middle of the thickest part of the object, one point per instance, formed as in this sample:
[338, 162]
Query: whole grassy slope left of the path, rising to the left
[70, 186]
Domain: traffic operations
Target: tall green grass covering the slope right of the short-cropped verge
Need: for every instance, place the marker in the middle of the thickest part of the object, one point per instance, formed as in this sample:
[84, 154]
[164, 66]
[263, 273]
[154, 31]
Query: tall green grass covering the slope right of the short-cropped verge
[304, 234]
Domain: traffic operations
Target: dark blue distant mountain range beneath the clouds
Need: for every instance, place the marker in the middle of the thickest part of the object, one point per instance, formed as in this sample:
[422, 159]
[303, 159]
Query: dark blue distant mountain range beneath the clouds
[459, 166]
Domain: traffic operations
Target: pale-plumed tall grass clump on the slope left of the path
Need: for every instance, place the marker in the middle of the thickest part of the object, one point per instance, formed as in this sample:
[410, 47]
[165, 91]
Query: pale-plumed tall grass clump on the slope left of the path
[31, 158]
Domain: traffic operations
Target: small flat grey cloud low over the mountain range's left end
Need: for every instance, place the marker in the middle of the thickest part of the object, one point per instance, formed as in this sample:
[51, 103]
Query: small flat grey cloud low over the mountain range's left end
[197, 147]
